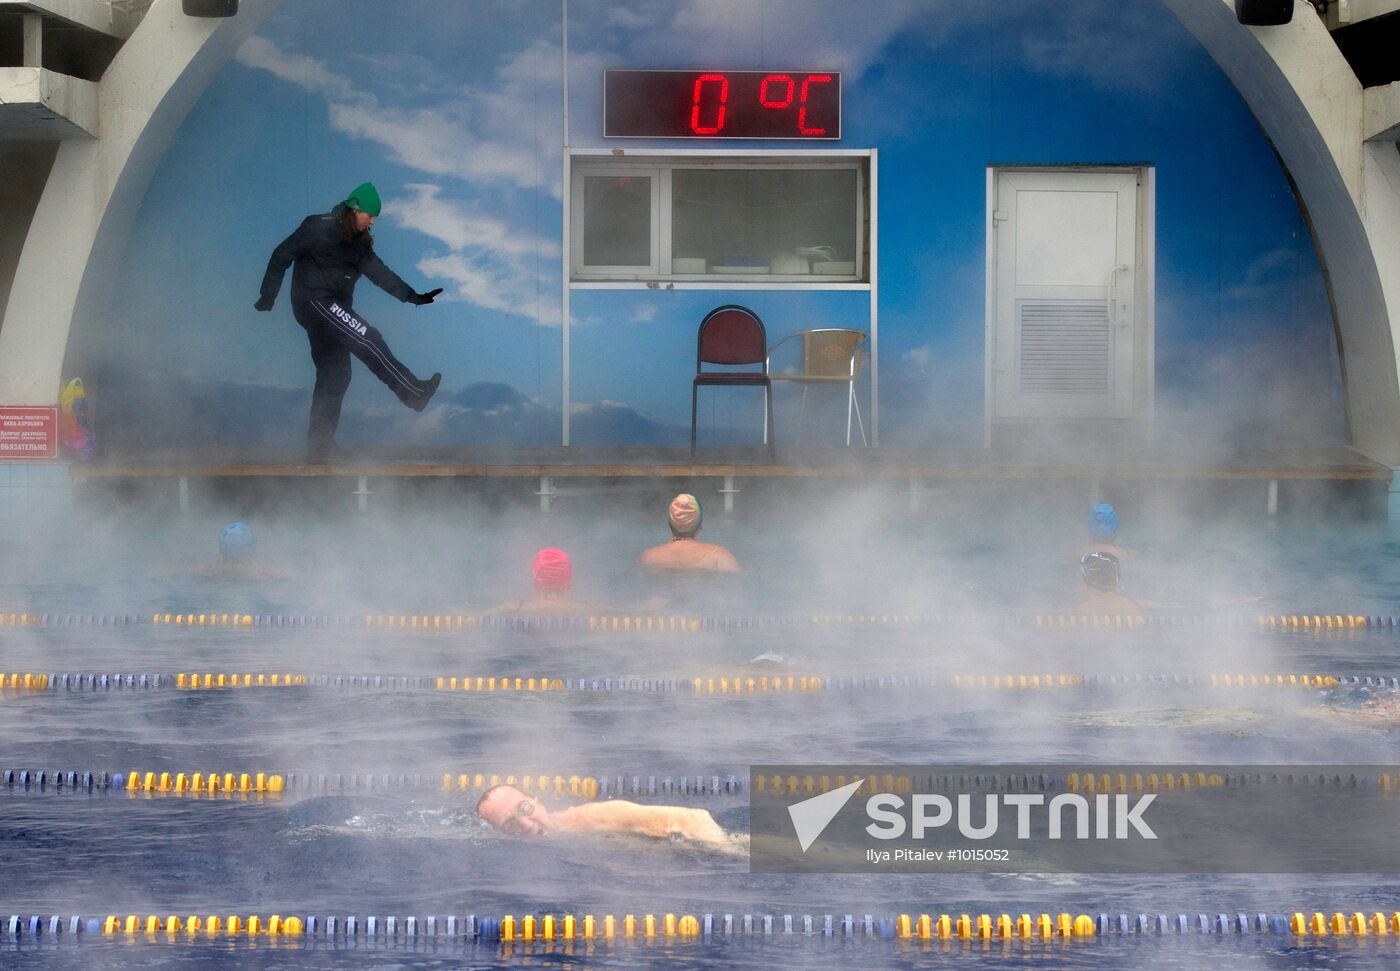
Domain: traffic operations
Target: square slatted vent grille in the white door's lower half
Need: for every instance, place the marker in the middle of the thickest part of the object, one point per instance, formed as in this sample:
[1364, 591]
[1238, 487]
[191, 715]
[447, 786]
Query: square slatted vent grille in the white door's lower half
[1066, 348]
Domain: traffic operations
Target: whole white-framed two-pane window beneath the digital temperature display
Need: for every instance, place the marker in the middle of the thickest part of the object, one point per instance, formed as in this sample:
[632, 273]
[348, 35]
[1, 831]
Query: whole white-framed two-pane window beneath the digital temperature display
[699, 220]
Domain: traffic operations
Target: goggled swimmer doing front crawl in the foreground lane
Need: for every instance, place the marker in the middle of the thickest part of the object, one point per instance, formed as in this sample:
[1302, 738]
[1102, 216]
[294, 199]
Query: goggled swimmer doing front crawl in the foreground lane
[513, 812]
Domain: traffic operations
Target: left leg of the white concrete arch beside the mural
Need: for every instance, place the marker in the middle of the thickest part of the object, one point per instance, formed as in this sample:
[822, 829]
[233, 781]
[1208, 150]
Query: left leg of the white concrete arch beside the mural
[69, 262]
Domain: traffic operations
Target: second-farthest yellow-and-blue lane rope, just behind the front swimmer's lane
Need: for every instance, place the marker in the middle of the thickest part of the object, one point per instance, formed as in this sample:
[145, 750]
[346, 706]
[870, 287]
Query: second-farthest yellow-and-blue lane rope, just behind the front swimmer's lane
[733, 685]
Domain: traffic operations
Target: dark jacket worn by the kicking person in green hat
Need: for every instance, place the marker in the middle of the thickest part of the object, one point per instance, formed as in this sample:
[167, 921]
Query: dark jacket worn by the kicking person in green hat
[327, 265]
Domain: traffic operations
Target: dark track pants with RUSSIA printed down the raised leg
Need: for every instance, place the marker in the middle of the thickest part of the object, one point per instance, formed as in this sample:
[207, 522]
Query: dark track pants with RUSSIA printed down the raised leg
[335, 334]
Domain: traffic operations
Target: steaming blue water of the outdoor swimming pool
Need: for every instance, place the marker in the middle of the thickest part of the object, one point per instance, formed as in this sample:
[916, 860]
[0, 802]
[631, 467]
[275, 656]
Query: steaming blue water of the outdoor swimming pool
[416, 851]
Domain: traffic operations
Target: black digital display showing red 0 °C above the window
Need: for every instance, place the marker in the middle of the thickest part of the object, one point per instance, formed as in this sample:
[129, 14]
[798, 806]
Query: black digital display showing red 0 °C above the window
[645, 104]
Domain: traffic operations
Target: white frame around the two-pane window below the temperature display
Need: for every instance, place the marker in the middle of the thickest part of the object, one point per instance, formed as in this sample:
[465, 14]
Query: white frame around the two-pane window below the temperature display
[661, 164]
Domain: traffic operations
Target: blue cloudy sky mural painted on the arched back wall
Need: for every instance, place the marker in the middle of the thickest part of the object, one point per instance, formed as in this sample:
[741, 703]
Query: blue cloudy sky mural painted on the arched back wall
[454, 110]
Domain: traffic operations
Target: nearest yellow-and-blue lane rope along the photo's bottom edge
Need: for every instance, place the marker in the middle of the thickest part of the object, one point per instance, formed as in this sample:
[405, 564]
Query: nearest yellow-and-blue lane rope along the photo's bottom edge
[566, 928]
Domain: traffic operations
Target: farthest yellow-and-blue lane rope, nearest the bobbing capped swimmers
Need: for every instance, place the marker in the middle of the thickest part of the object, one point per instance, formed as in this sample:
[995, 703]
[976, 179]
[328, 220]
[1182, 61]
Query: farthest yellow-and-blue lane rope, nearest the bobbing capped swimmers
[1311, 623]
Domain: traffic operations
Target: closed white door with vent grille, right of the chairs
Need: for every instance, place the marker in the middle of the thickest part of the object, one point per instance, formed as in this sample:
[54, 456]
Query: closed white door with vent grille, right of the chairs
[1065, 296]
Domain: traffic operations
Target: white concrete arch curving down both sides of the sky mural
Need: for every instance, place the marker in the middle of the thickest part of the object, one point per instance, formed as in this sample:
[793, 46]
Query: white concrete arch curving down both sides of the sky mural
[1293, 78]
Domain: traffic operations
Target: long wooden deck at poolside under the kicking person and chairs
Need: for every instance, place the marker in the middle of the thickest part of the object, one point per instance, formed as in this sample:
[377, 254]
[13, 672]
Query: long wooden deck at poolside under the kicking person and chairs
[584, 462]
